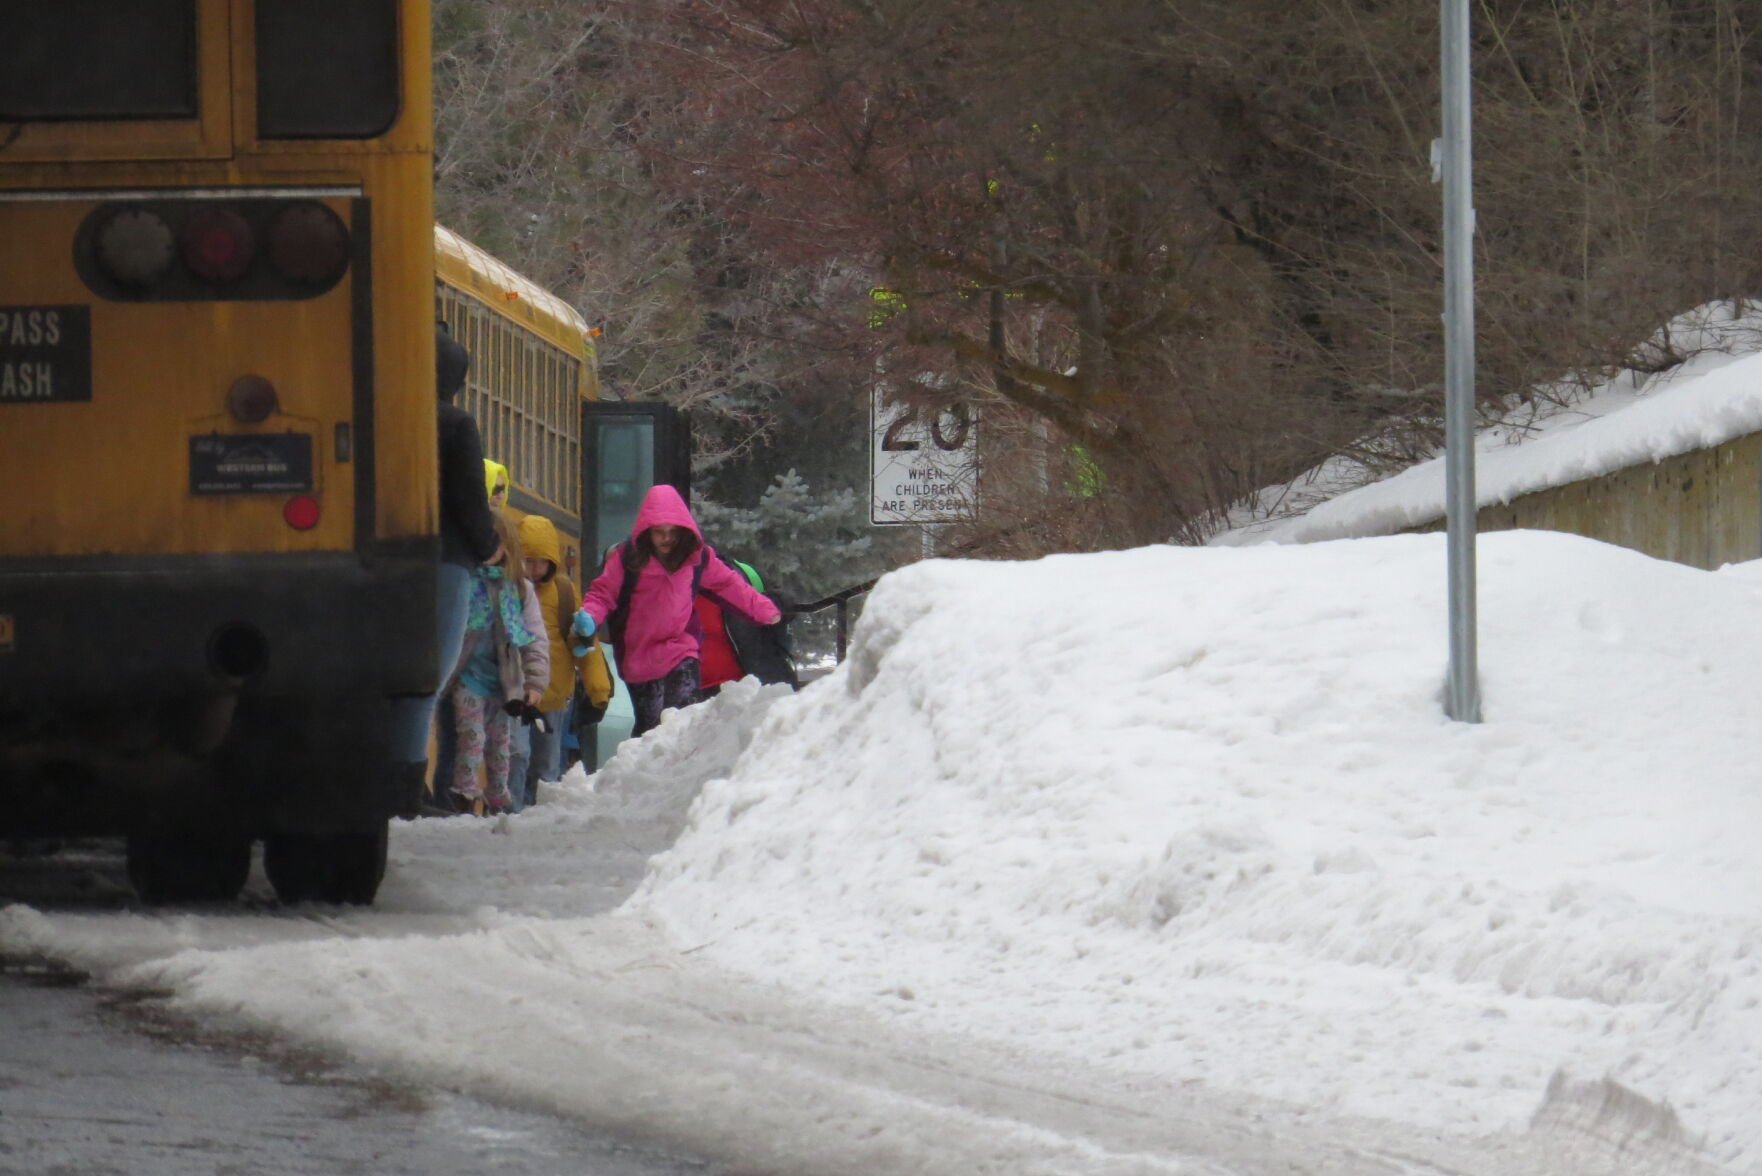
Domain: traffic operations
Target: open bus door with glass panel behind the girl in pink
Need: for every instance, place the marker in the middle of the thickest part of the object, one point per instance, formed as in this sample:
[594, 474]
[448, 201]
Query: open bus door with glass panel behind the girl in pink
[628, 449]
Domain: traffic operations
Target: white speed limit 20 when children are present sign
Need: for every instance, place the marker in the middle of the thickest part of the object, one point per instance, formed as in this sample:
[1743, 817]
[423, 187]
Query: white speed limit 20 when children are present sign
[924, 461]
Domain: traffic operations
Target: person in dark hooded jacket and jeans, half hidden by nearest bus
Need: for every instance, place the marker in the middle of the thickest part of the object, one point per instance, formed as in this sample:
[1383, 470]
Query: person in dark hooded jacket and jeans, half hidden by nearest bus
[468, 533]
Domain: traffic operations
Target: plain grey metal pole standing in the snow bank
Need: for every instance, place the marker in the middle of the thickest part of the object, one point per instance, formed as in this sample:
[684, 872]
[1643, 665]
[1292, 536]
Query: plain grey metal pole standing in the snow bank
[1463, 688]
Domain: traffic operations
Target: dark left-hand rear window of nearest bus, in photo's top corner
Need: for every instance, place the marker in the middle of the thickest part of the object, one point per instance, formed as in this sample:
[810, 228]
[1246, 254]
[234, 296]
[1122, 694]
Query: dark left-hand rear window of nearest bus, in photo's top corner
[98, 59]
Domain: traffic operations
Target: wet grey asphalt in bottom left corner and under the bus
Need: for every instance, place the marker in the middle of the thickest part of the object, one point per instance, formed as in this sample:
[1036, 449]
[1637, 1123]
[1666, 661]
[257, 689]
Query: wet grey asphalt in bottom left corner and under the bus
[94, 1085]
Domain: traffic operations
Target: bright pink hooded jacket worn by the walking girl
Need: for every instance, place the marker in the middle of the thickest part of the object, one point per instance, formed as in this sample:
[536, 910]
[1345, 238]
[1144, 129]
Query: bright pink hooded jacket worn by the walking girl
[662, 629]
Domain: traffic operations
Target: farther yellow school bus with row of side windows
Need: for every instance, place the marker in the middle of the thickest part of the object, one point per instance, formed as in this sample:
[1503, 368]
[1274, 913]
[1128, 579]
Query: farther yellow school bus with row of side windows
[533, 368]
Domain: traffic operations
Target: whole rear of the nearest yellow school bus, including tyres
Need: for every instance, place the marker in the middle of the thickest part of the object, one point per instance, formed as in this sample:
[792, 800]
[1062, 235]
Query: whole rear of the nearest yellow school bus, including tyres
[218, 431]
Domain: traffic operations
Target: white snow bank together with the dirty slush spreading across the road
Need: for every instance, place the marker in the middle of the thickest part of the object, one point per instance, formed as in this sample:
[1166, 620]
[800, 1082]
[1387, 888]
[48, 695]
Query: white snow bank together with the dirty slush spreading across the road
[1106, 865]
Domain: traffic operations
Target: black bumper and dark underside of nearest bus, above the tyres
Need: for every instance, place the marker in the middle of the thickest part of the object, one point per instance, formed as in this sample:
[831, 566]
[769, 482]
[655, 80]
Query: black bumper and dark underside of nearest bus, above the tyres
[207, 692]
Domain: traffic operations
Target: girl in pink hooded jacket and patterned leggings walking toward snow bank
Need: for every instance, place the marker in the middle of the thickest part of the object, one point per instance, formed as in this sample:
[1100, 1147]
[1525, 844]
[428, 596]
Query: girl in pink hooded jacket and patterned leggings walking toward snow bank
[644, 600]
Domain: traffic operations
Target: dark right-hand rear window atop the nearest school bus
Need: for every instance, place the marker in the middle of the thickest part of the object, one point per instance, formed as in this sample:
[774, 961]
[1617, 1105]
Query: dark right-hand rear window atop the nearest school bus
[327, 70]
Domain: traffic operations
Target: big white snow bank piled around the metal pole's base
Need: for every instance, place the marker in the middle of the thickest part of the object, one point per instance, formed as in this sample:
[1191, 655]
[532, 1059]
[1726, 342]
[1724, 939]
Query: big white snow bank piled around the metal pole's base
[1199, 814]
